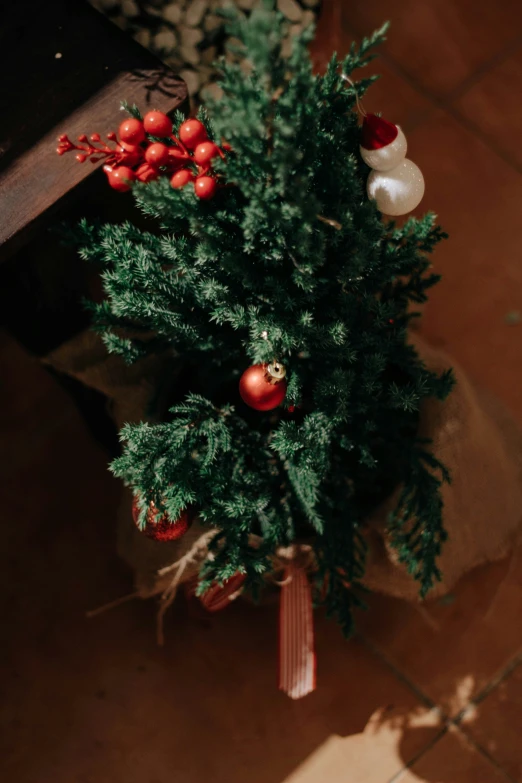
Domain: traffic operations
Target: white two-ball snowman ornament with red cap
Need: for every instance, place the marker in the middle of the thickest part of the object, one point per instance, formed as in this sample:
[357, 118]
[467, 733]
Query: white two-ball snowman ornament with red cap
[396, 184]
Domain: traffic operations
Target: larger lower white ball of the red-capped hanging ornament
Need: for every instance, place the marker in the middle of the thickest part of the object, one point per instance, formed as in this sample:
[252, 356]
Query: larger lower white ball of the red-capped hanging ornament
[398, 191]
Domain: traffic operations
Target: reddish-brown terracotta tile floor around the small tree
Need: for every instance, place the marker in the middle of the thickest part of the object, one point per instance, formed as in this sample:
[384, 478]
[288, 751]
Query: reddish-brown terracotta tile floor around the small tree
[430, 693]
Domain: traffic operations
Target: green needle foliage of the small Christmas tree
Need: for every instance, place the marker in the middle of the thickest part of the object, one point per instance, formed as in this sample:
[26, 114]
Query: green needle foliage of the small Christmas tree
[289, 261]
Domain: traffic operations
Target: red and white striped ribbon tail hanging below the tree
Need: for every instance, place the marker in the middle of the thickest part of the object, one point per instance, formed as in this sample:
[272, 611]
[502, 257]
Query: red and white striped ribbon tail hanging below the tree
[297, 663]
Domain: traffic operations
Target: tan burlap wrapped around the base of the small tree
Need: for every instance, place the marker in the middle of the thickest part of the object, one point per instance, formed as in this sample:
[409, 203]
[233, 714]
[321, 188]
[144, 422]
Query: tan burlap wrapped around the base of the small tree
[472, 434]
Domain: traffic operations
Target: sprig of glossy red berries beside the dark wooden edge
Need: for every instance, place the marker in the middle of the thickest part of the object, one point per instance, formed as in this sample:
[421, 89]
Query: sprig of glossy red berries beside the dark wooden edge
[134, 156]
